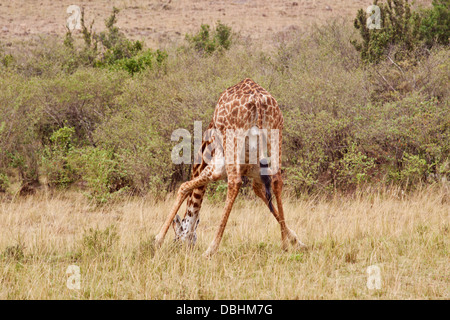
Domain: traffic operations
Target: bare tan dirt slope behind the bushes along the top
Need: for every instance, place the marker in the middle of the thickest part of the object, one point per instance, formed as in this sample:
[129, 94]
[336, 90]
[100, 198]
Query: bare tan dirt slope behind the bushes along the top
[161, 22]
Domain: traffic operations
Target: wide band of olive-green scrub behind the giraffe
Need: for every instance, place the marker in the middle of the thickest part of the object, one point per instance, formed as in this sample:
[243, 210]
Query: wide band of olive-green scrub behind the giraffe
[346, 123]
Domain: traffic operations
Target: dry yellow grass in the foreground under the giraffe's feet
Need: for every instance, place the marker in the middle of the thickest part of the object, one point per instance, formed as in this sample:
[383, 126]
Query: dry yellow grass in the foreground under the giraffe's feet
[407, 237]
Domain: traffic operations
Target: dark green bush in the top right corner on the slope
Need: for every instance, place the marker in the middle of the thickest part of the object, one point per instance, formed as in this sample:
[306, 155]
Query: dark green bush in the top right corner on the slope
[405, 31]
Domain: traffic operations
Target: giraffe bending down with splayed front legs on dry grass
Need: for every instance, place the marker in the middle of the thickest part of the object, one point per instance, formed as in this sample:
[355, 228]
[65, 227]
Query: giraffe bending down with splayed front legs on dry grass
[245, 106]
